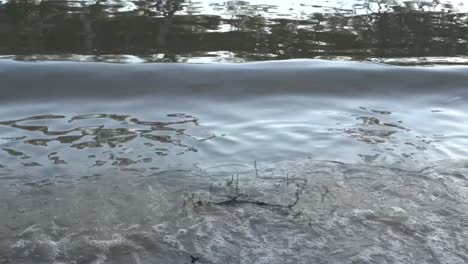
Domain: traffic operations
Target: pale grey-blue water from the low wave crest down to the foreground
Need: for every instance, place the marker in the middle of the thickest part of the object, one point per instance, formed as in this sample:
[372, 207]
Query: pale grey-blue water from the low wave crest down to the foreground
[323, 162]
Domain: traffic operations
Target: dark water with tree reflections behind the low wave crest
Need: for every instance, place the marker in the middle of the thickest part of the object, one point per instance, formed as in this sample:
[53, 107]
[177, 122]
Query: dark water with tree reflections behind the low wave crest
[423, 32]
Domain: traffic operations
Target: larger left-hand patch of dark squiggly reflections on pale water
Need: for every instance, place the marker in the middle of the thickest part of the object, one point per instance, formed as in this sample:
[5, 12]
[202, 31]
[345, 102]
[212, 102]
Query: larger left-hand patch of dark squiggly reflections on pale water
[105, 139]
